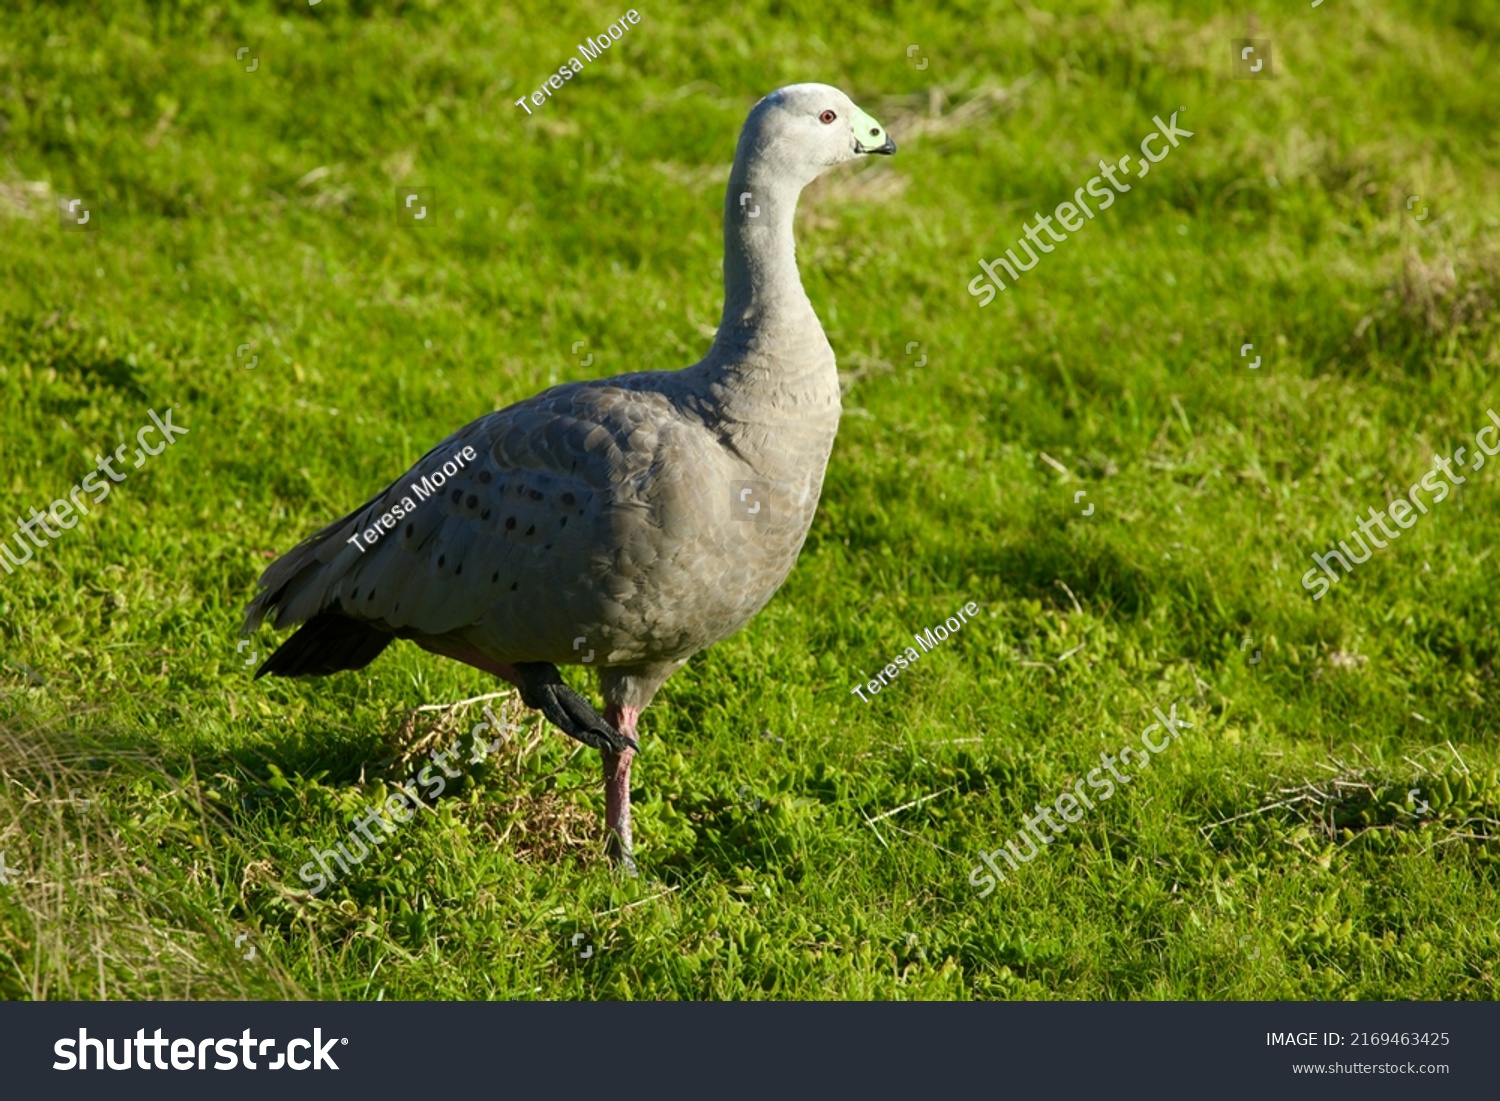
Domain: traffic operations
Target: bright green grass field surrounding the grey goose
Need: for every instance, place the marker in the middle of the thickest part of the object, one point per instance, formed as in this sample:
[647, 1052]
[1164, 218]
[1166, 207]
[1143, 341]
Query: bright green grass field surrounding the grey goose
[1327, 829]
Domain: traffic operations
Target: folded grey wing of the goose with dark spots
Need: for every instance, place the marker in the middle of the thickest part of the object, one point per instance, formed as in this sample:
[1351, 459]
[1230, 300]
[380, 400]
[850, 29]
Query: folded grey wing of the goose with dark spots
[542, 526]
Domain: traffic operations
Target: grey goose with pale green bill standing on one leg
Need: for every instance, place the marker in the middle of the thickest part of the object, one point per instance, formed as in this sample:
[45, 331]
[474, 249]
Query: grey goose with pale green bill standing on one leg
[626, 523]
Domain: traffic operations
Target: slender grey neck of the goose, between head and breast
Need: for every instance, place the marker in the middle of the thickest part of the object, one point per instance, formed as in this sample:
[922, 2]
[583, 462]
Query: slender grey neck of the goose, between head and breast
[766, 307]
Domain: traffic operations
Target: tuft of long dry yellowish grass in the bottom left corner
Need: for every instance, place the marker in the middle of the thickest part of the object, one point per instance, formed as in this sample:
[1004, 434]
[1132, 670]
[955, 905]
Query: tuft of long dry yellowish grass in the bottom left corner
[88, 914]
